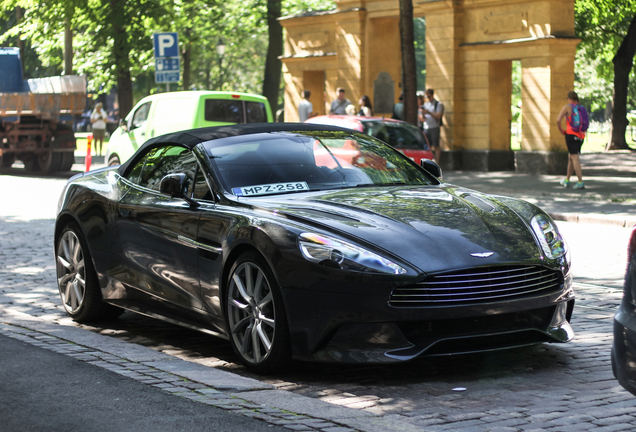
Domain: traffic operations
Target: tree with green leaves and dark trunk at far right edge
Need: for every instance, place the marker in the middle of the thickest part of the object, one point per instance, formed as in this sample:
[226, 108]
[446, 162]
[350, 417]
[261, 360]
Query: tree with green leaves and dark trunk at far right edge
[608, 31]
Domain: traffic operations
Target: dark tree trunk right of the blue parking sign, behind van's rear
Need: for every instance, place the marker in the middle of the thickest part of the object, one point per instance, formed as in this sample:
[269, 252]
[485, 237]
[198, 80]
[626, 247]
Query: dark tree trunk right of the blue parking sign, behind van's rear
[273, 65]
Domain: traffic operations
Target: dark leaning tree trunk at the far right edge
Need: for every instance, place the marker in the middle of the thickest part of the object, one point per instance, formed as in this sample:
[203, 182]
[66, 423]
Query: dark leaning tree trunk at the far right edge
[623, 62]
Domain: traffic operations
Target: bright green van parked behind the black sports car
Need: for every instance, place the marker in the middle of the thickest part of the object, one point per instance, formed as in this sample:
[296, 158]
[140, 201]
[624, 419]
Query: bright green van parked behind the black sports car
[174, 111]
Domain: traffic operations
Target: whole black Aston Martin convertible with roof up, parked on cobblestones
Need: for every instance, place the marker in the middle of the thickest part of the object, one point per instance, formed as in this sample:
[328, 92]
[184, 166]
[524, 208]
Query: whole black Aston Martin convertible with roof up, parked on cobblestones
[310, 242]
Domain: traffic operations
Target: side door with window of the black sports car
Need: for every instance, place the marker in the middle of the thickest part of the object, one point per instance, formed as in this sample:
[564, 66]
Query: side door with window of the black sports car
[161, 268]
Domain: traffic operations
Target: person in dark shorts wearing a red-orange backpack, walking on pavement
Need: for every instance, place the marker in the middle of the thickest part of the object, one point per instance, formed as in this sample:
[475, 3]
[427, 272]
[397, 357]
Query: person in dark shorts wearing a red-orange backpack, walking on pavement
[577, 122]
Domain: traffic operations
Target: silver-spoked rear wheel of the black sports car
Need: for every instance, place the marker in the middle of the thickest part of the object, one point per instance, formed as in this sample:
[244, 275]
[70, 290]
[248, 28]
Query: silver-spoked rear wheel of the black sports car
[77, 280]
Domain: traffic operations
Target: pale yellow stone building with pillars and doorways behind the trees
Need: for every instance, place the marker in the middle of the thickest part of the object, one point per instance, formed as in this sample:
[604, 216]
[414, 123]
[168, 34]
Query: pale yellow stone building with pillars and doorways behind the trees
[470, 47]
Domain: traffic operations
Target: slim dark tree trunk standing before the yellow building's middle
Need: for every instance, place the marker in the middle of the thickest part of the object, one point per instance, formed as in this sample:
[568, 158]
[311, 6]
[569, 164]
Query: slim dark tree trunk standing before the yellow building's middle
[409, 78]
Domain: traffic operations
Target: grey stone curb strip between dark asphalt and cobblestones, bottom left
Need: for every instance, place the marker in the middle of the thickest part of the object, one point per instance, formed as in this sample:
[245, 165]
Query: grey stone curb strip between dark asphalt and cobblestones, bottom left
[221, 389]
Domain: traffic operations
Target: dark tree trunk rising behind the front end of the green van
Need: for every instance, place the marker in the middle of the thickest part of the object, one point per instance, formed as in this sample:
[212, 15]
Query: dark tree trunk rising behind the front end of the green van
[121, 54]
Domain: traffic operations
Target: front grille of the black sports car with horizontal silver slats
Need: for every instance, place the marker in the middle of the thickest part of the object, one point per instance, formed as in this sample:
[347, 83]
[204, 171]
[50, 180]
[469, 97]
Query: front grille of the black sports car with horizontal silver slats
[477, 285]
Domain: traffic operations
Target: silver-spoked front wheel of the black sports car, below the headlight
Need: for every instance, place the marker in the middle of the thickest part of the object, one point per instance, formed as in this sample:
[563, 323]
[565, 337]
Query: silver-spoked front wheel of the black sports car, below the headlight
[255, 316]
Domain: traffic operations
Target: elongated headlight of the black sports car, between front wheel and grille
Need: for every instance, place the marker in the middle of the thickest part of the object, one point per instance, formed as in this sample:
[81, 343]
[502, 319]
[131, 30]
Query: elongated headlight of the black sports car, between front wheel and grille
[337, 253]
